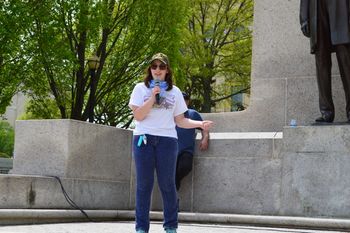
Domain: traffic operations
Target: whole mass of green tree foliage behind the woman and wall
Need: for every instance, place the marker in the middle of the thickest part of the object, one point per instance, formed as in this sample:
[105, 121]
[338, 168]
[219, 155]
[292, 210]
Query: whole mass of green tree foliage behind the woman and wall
[45, 46]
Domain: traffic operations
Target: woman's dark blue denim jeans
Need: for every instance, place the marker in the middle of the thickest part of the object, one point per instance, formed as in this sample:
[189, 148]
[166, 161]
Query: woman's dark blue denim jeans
[159, 154]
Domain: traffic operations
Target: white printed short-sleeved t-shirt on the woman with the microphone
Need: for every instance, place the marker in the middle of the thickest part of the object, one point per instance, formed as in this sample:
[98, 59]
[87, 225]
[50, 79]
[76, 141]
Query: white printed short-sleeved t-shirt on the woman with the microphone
[160, 120]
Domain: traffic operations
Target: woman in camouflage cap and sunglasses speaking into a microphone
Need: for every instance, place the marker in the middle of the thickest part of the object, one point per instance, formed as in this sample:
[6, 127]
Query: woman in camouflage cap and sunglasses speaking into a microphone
[157, 106]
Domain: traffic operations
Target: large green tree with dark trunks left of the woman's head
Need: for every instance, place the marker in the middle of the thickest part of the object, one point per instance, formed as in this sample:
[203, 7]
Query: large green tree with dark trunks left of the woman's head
[62, 35]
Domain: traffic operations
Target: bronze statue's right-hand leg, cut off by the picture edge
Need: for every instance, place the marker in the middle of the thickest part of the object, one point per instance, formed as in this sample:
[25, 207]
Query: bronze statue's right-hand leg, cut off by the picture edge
[343, 57]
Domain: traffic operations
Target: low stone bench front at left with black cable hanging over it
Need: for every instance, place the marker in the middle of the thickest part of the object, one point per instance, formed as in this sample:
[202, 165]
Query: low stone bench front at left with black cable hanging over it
[40, 192]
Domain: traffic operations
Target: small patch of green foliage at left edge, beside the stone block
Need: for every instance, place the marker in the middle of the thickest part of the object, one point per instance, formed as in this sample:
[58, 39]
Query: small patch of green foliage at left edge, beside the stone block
[6, 139]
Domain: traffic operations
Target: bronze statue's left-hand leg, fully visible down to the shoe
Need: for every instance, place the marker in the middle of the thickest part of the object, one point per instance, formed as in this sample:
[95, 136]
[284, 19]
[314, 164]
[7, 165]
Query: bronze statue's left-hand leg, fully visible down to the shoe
[324, 64]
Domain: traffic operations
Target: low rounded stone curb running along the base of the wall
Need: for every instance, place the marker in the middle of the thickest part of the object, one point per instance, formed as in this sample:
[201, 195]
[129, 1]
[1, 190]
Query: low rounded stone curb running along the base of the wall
[25, 216]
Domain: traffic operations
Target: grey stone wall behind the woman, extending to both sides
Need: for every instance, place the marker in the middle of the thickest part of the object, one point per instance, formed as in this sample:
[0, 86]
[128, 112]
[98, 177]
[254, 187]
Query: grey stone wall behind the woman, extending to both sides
[300, 172]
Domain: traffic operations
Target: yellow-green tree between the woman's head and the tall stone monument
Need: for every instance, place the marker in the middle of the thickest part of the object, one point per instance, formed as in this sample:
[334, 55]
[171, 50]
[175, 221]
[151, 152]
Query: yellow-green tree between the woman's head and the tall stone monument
[217, 43]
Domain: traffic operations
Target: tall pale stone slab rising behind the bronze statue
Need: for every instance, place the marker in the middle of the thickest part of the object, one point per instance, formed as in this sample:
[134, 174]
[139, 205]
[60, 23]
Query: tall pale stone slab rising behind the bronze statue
[283, 79]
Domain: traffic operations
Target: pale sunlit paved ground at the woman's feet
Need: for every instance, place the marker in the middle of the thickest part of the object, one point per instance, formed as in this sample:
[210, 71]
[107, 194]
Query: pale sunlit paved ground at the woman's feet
[156, 227]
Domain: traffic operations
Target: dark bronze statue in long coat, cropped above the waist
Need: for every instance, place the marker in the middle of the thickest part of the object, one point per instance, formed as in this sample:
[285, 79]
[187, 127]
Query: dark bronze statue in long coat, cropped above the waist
[326, 23]
